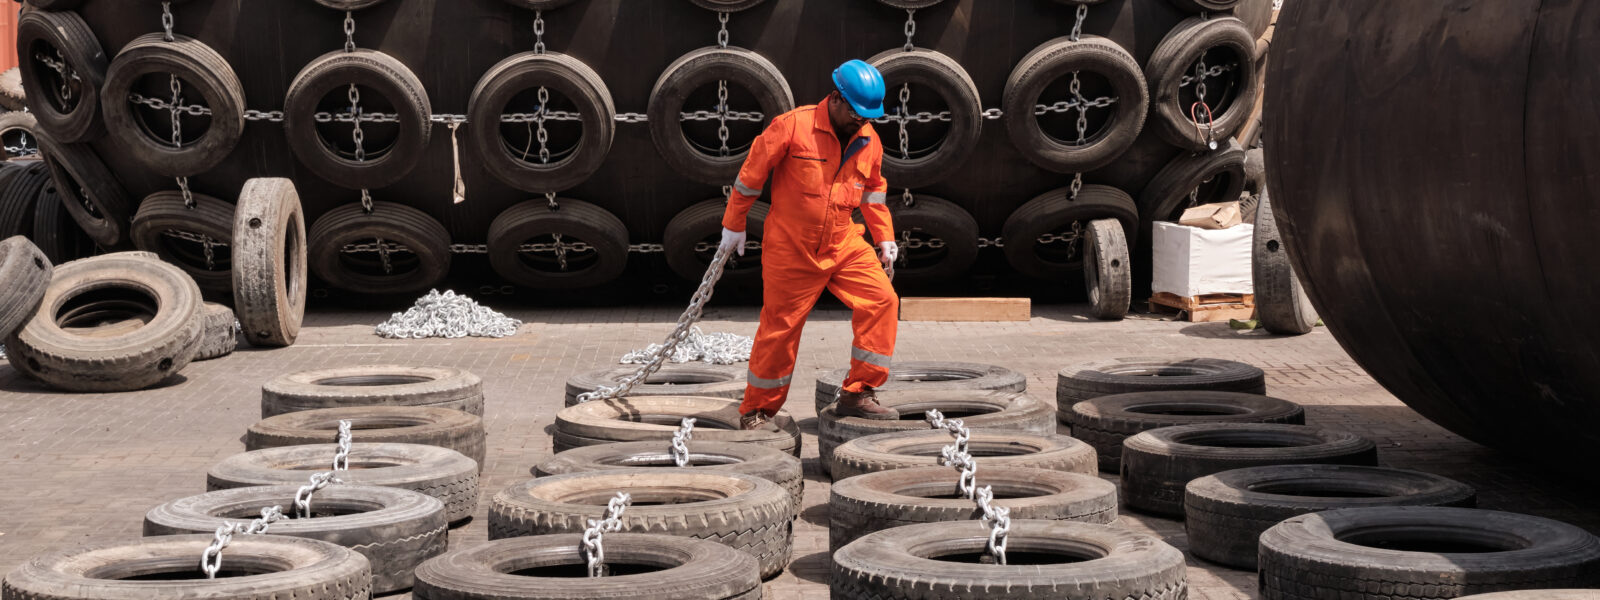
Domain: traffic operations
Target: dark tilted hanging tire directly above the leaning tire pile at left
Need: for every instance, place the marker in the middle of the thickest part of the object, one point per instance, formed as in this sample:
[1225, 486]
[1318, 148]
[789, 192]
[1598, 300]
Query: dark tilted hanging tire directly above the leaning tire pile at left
[87, 190]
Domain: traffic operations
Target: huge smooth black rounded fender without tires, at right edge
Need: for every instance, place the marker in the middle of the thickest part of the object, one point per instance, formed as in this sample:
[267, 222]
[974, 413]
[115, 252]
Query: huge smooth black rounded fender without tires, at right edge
[1447, 242]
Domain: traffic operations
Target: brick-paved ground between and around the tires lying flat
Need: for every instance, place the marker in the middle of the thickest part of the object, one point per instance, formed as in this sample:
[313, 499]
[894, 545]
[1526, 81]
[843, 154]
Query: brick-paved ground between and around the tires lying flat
[78, 468]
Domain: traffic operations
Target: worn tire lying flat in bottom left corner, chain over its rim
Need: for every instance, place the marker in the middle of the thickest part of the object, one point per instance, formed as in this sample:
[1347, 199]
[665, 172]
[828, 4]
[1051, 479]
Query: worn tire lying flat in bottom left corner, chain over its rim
[110, 570]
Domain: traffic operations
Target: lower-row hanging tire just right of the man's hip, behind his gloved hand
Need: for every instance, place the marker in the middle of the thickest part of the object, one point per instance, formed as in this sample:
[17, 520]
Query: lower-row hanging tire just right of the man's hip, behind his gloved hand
[926, 222]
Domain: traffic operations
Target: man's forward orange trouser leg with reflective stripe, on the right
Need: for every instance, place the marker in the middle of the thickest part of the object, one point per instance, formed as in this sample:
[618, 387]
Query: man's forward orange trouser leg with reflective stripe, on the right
[866, 290]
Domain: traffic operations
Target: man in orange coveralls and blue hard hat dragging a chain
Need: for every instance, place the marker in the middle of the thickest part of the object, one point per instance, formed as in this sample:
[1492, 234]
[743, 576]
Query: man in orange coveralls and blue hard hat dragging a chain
[825, 162]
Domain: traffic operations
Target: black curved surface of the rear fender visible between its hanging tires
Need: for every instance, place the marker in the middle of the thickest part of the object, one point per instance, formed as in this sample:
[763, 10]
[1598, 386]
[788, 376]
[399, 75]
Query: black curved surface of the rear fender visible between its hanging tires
[452, 44]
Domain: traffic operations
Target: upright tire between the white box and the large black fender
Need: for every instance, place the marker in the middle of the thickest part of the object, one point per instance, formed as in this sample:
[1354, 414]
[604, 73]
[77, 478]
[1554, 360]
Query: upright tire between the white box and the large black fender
[1282, 305]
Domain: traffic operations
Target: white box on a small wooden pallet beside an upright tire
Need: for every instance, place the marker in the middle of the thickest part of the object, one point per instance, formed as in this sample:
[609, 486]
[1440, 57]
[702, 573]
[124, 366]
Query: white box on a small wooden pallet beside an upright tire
[1193, 262]
